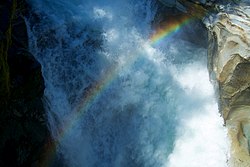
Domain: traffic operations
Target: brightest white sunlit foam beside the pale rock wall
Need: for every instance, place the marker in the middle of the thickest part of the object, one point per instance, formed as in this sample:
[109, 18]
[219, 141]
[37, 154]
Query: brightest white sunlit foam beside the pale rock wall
[197, 141]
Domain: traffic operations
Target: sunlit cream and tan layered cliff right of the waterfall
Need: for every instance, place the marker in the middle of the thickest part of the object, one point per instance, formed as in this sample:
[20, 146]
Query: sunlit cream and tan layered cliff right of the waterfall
[229, 66]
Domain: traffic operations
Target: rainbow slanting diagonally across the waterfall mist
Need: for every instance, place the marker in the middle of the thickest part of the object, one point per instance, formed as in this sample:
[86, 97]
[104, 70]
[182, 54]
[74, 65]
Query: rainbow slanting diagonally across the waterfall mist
[95, 92]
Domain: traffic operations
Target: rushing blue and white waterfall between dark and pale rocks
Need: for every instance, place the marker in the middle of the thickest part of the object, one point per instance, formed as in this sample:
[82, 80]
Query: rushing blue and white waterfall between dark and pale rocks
[116, 99]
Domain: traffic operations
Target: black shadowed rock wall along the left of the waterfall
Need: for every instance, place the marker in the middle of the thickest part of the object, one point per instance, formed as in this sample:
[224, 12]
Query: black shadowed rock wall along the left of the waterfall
[23, 130]
